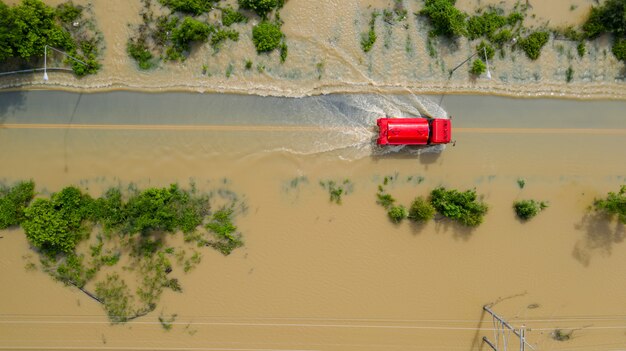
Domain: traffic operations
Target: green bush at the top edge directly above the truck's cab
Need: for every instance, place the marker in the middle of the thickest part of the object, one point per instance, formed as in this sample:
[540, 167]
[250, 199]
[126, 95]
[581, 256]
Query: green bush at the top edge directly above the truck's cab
[446, 19]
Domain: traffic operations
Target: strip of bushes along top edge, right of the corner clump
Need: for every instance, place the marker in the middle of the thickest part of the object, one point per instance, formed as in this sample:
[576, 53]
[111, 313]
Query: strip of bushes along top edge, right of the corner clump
[184, 23]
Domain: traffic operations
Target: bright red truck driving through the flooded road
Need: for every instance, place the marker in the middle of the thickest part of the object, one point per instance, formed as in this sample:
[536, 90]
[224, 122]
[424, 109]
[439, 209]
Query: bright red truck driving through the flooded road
[413, 131]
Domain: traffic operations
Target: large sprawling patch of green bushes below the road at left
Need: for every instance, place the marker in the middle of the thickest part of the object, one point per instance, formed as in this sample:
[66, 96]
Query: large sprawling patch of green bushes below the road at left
[95, 244]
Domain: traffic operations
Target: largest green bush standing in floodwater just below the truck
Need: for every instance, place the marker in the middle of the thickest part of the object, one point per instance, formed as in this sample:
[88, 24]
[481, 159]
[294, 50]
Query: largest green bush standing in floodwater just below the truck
[459, 206]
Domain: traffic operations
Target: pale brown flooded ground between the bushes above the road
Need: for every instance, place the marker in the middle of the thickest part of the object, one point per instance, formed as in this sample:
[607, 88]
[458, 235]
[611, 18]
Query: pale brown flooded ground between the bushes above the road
[325, 55]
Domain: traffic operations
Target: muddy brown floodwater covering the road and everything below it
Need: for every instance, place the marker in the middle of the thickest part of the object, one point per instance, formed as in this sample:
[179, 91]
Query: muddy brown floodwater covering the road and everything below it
[314, 275]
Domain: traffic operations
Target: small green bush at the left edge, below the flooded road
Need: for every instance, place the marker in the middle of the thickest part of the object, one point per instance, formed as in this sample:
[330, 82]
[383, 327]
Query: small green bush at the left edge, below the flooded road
[13, 201]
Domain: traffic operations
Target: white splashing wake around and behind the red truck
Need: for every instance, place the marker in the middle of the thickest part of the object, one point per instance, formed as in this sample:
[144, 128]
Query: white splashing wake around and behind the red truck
[349, 127]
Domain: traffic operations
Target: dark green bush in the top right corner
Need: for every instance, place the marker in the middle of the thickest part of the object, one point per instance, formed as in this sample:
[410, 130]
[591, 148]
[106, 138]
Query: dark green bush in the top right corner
[610, 17]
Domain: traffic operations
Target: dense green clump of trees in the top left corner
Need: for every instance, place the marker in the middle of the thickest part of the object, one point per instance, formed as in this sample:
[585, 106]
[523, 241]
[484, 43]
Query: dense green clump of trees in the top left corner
[31, 25]
